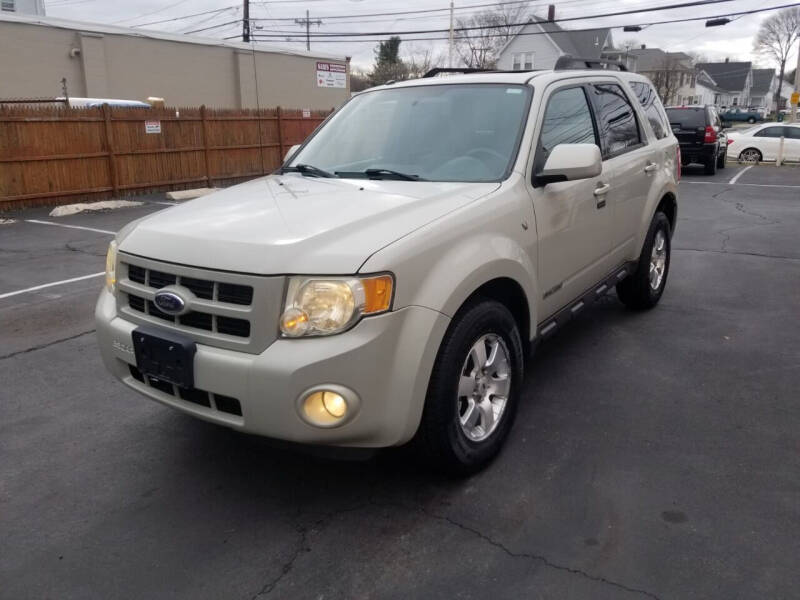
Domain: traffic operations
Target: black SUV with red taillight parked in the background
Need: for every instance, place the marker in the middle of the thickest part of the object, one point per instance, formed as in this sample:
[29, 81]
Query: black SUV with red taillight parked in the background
[701, 135]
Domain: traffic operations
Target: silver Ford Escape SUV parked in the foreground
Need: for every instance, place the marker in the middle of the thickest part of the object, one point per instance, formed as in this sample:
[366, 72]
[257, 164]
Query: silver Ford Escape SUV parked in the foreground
[386, 284]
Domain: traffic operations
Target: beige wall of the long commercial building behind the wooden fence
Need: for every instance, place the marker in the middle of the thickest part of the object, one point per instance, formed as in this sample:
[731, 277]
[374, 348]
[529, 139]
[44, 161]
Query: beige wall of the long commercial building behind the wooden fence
[115, 65]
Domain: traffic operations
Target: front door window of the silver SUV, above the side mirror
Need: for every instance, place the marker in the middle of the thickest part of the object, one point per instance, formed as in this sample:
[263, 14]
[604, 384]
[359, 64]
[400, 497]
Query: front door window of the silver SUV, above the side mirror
[567, 120]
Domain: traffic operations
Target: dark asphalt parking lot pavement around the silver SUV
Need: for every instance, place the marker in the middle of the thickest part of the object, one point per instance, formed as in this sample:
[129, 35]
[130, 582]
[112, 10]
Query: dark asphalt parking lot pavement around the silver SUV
[655, 455]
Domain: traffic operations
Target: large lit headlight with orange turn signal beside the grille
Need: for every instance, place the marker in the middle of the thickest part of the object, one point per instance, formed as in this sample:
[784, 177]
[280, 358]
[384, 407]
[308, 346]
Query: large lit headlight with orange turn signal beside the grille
[317, 306]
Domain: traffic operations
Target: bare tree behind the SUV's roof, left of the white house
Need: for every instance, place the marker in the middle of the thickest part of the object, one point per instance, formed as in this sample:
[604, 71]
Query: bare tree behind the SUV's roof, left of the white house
[478, 48]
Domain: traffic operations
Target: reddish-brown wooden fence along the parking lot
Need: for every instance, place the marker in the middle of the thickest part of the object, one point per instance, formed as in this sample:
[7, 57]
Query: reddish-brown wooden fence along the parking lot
[54, 155]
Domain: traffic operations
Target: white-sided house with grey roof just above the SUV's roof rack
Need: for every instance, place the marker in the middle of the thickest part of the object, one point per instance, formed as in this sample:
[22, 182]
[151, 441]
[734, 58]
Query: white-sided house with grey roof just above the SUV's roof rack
[540, 43]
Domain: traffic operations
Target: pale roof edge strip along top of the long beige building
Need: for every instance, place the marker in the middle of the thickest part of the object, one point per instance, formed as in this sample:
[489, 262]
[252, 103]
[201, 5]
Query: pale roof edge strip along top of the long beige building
[59, 23]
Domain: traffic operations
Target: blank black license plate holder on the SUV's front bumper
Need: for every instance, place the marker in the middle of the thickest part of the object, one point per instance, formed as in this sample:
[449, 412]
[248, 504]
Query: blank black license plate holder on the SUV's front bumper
[165, 355]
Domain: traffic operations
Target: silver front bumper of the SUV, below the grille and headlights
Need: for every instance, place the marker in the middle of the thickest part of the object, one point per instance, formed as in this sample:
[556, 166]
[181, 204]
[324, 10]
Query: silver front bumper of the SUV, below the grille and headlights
[386, 360]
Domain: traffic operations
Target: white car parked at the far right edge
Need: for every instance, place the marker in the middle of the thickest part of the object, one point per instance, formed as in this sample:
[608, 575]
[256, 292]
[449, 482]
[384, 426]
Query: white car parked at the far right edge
[762, 142]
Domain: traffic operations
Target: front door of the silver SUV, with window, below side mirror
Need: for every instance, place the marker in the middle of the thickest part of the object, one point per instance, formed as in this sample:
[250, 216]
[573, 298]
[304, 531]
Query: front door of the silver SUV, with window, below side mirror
[573, 218]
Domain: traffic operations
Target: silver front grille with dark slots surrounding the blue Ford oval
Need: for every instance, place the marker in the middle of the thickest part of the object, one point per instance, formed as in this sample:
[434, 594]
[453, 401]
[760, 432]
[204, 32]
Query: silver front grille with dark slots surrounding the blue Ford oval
[236, 311]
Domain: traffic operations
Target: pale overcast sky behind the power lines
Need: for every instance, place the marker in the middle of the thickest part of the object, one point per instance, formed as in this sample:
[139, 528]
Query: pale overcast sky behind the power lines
[734, 40]
